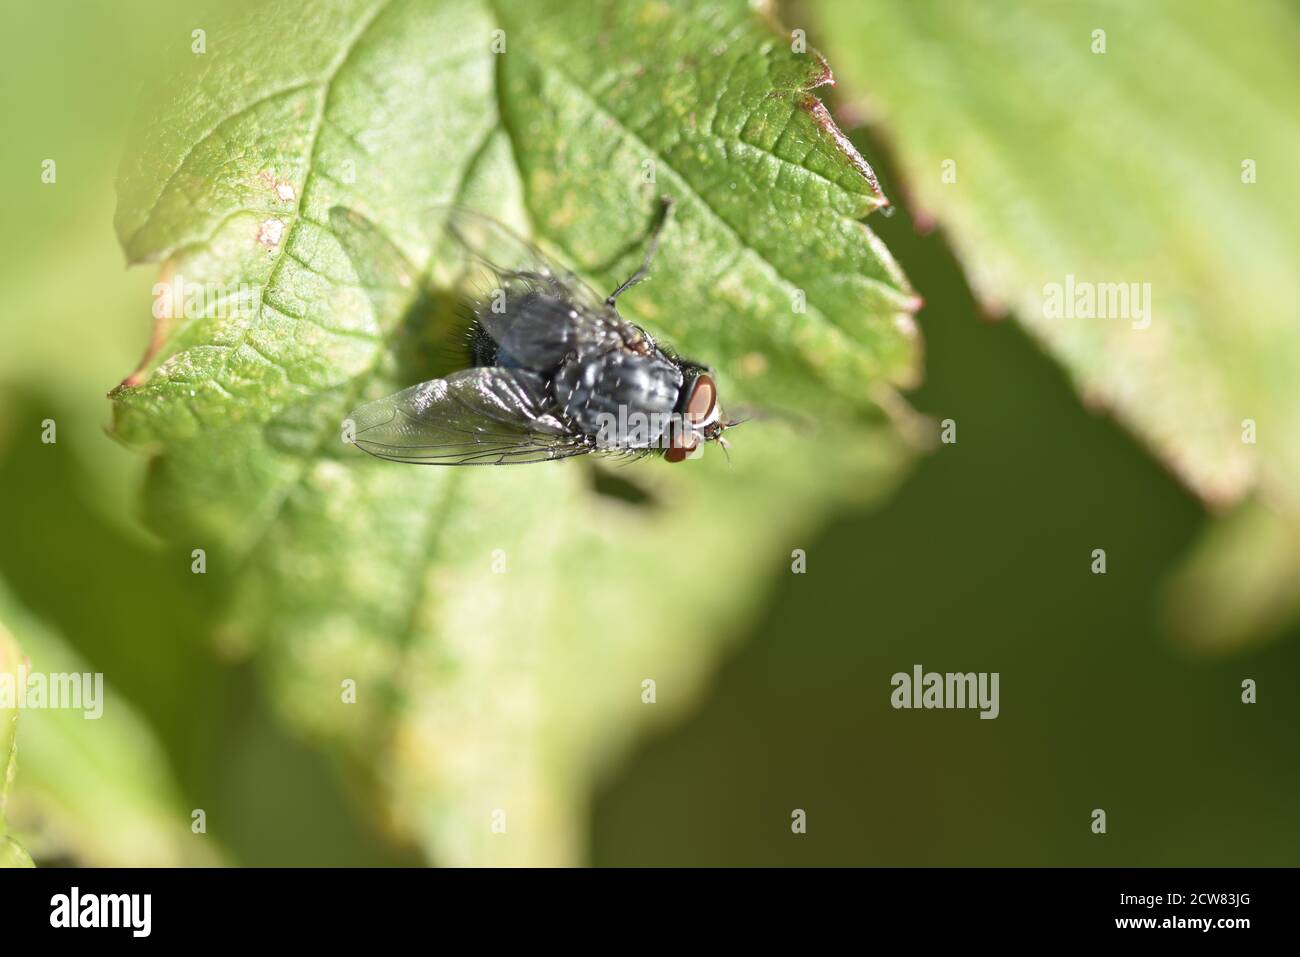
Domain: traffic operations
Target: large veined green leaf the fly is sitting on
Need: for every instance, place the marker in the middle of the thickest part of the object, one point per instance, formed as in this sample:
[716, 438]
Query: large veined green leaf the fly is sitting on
[500, 625]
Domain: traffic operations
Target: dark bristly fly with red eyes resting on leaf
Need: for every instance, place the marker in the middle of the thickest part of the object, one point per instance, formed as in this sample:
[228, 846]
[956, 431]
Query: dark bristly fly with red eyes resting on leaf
[556, 370]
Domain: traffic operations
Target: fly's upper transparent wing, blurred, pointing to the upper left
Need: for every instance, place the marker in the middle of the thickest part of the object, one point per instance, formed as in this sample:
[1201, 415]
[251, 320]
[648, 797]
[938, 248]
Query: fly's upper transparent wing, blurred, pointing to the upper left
[523, 298]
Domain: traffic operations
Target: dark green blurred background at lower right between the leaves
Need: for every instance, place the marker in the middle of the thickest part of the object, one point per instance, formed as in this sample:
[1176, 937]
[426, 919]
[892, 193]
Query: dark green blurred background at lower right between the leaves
[982, 557]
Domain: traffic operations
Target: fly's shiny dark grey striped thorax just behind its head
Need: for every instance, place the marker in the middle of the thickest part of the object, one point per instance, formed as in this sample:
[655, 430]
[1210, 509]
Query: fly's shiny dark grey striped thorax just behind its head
[625, 399]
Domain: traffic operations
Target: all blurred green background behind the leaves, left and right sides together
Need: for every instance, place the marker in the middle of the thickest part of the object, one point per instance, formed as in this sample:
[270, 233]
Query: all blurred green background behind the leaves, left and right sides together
[980, 564]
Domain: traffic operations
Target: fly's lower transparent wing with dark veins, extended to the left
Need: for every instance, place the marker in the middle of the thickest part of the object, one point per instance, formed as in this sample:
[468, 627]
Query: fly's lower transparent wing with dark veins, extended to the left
[484, 417]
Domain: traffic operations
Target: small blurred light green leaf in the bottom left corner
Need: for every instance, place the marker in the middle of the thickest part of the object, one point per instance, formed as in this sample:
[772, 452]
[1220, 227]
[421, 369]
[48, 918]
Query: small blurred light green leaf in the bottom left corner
[94, 790]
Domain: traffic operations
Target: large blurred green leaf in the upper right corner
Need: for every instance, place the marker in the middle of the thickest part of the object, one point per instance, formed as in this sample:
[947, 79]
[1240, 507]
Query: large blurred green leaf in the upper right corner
[1120, 167]
